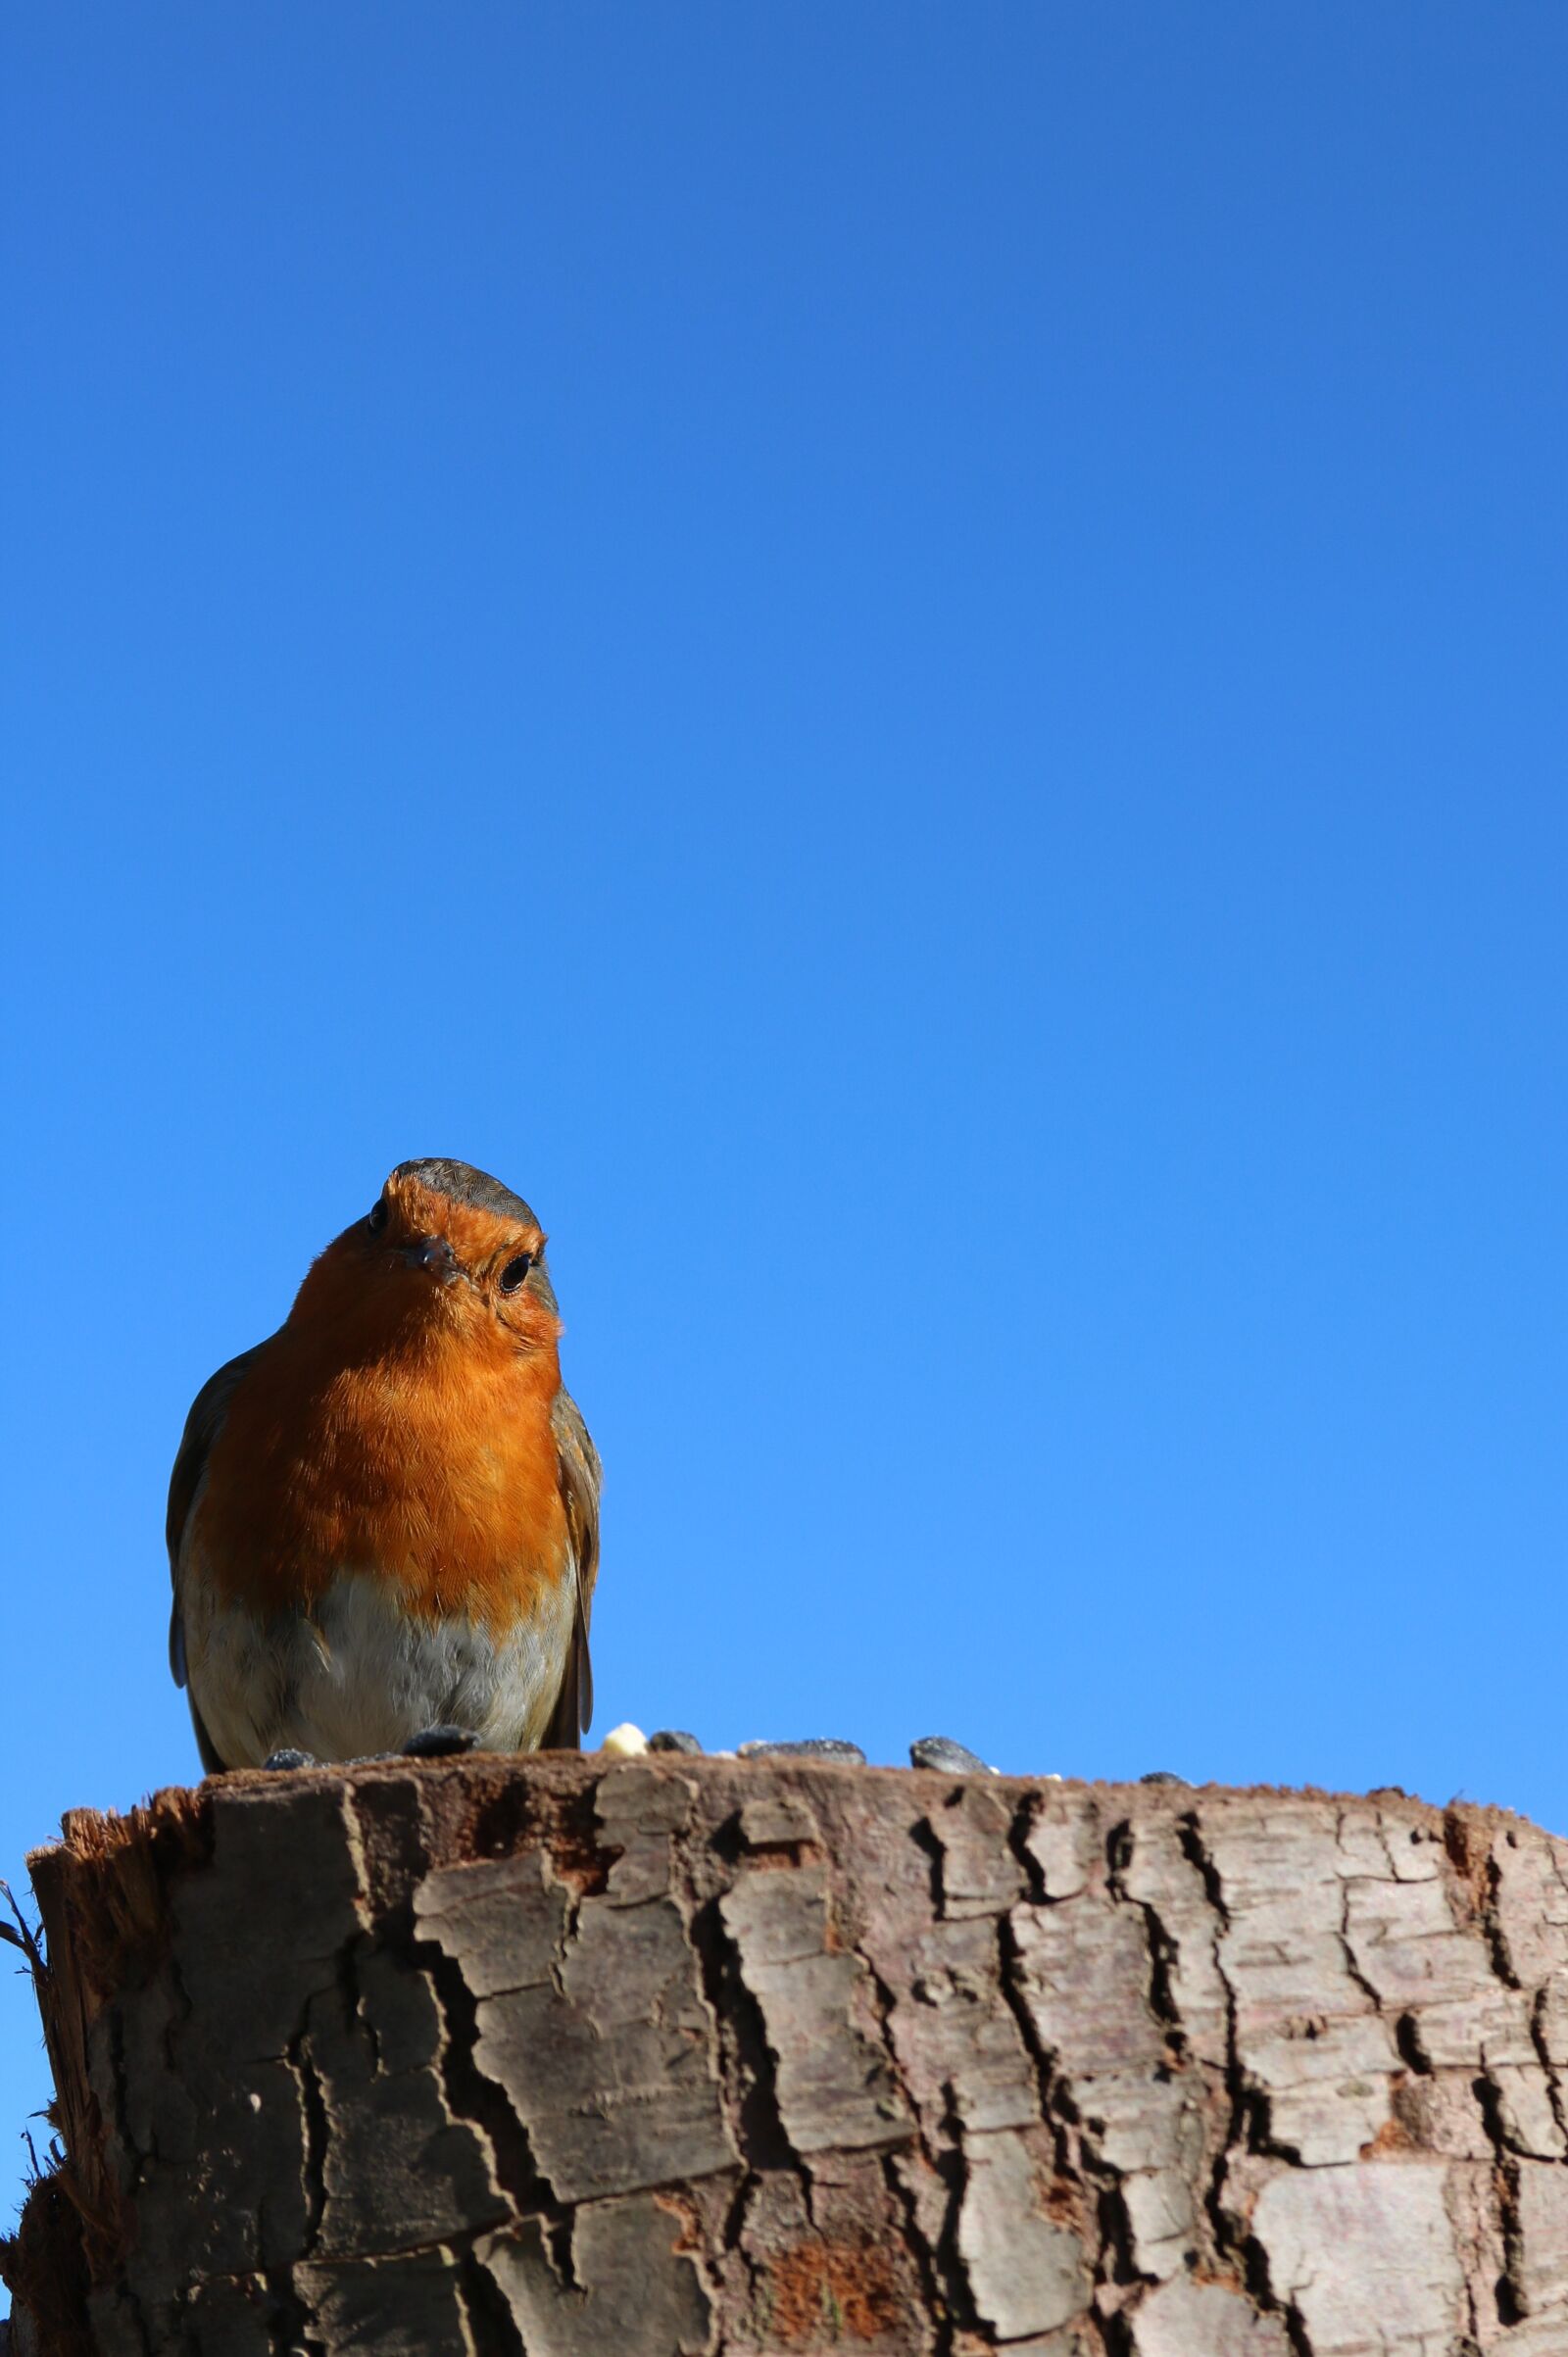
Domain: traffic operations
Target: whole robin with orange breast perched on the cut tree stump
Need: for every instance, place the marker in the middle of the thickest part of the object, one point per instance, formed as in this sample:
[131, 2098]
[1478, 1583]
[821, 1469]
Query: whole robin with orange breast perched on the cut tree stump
[386, 1519]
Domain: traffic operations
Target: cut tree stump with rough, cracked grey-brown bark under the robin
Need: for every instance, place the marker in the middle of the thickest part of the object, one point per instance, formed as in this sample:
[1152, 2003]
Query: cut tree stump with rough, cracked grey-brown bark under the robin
[558, 2059]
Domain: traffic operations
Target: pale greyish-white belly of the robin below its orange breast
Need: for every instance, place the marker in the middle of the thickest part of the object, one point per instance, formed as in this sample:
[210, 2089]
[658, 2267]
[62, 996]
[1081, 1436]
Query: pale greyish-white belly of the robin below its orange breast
[360, 1675]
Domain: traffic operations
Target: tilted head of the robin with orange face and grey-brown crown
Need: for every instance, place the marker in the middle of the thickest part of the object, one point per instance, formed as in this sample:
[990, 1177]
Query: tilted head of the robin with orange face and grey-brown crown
[444, 1250]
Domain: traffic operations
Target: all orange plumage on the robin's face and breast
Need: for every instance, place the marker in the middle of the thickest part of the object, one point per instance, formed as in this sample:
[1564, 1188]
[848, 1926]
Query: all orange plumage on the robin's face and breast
[402, 1427]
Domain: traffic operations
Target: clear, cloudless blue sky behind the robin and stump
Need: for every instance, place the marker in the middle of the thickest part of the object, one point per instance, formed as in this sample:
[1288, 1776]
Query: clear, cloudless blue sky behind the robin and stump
[907, 661]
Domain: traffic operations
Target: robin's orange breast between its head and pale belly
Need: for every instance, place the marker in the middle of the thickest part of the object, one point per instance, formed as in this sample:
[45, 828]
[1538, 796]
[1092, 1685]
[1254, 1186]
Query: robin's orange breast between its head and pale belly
[428, 1460]
